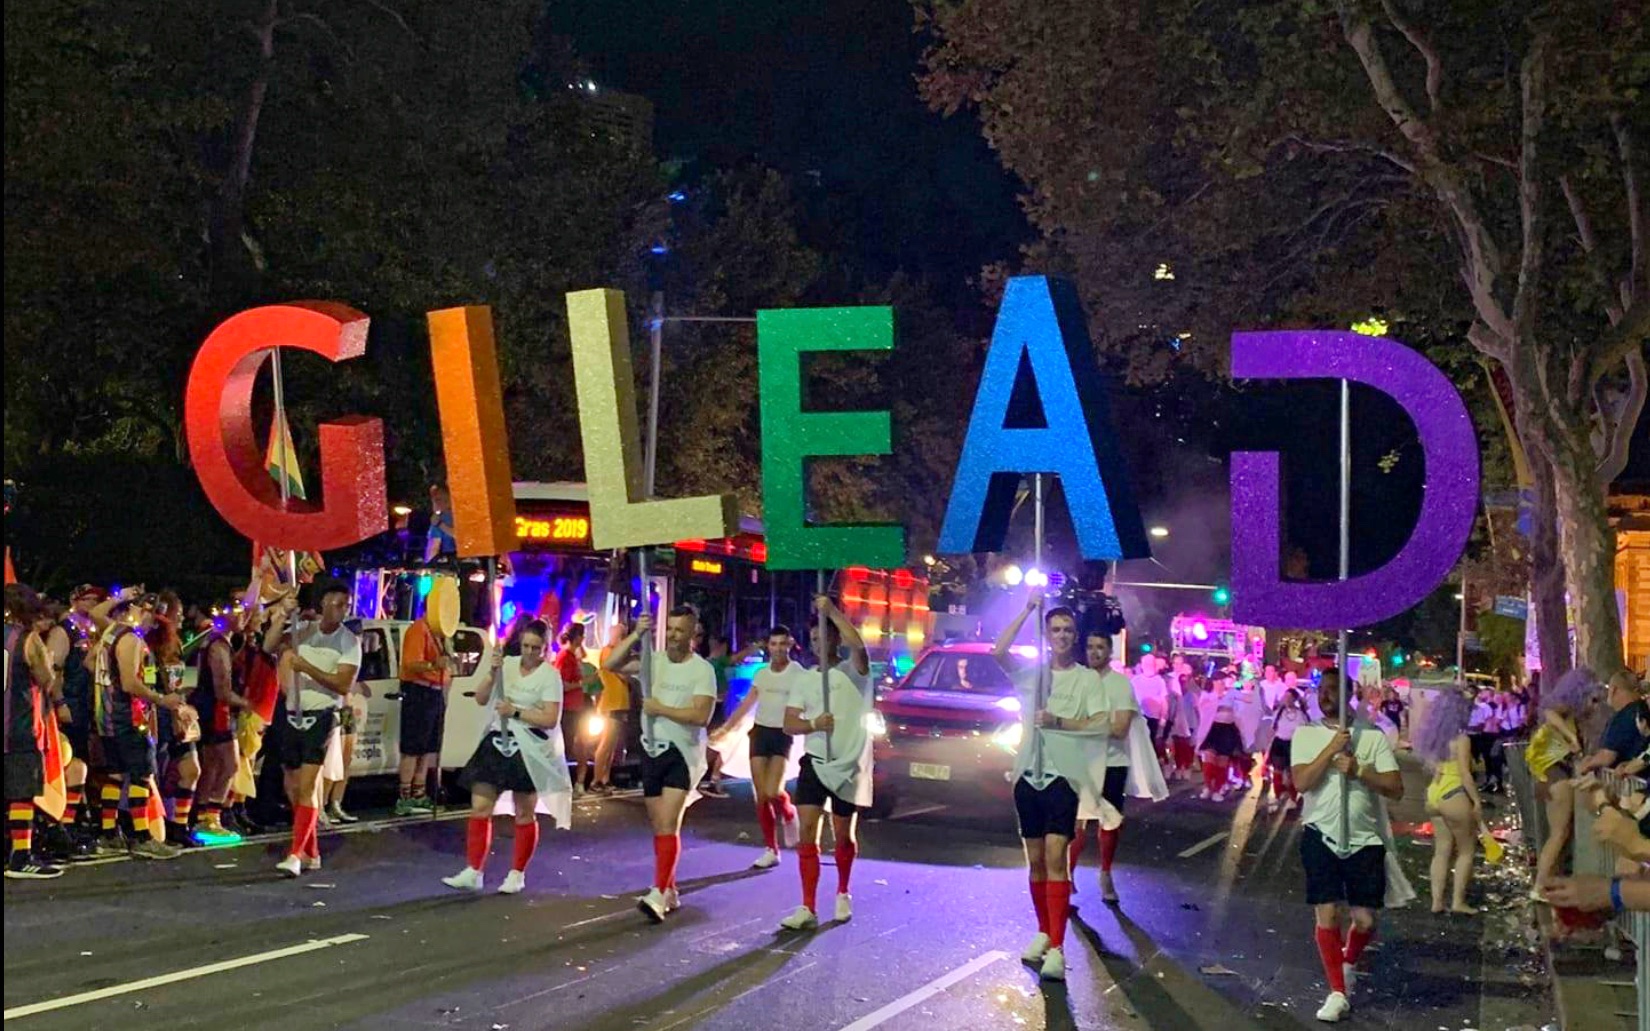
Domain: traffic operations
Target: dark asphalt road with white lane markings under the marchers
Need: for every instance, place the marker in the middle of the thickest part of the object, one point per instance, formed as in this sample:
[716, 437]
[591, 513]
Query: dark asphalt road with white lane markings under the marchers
[1212, 934]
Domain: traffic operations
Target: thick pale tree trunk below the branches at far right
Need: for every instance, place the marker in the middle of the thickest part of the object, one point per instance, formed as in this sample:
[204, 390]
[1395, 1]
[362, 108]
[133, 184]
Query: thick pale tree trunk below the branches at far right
[1588, 547]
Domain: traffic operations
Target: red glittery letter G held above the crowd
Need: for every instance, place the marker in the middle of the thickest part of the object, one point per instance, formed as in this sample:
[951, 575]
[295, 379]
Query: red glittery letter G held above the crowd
[227, 451]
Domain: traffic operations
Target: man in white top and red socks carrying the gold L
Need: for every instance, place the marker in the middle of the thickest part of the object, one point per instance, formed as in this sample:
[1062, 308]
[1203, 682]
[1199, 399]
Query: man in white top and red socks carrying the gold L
[674, 717]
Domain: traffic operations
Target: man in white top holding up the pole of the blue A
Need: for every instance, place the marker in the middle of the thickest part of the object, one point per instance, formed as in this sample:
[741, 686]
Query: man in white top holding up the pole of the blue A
[1058, 760]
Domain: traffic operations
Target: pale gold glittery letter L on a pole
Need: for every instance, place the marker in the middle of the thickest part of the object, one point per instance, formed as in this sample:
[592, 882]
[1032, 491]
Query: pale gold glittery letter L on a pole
[613, 446]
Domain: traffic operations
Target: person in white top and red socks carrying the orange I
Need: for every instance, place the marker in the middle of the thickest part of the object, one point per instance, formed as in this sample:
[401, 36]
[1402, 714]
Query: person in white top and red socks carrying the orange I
[522, 755]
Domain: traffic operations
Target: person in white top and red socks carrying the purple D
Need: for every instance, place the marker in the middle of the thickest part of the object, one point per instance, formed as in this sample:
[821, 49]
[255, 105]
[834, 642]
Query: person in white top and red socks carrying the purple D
[1344, 862]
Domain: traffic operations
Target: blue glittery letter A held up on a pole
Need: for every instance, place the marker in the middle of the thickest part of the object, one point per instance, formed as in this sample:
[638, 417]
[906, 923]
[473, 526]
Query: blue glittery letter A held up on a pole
[1072, 435]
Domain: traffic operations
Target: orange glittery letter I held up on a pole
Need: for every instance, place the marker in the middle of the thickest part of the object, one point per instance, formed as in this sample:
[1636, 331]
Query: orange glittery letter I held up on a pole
[473, 430]
